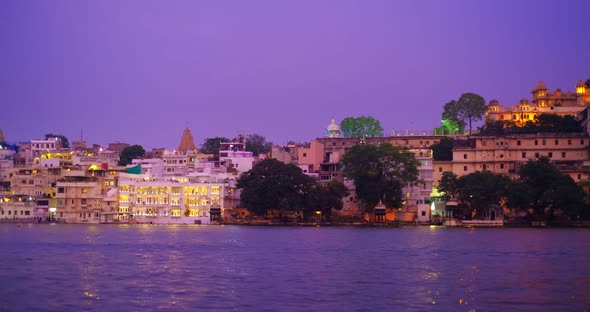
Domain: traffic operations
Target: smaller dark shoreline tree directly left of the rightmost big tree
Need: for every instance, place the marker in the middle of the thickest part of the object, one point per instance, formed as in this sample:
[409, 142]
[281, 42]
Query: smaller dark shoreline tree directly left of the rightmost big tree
[482, 190]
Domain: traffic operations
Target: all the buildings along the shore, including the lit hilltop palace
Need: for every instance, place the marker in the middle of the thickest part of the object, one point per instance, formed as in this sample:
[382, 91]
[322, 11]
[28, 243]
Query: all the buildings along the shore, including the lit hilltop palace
[42, 180]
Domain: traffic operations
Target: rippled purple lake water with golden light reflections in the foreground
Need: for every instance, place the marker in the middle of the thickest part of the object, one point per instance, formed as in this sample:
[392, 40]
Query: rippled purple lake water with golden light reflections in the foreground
[180, 268]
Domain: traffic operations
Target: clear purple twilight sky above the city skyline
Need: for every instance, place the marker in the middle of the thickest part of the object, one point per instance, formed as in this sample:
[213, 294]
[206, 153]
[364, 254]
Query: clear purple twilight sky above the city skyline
[141, 71]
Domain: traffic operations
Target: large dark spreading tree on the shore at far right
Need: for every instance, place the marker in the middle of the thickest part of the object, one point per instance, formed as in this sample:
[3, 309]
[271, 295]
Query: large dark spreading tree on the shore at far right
[545, 189]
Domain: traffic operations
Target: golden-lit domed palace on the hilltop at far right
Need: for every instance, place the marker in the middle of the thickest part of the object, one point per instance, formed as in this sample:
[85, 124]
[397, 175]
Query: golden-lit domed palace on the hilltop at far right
[557, 102]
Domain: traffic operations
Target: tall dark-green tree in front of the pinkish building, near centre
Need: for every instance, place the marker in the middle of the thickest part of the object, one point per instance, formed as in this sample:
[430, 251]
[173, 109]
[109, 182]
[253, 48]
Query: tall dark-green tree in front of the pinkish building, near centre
[379, 173]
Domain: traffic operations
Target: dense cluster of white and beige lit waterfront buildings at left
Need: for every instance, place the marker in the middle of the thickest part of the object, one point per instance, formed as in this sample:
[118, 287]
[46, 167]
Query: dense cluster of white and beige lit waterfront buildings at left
[41, 180]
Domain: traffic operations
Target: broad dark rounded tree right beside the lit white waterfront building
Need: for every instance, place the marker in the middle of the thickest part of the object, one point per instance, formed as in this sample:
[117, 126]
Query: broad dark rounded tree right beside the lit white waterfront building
[272, 184]
